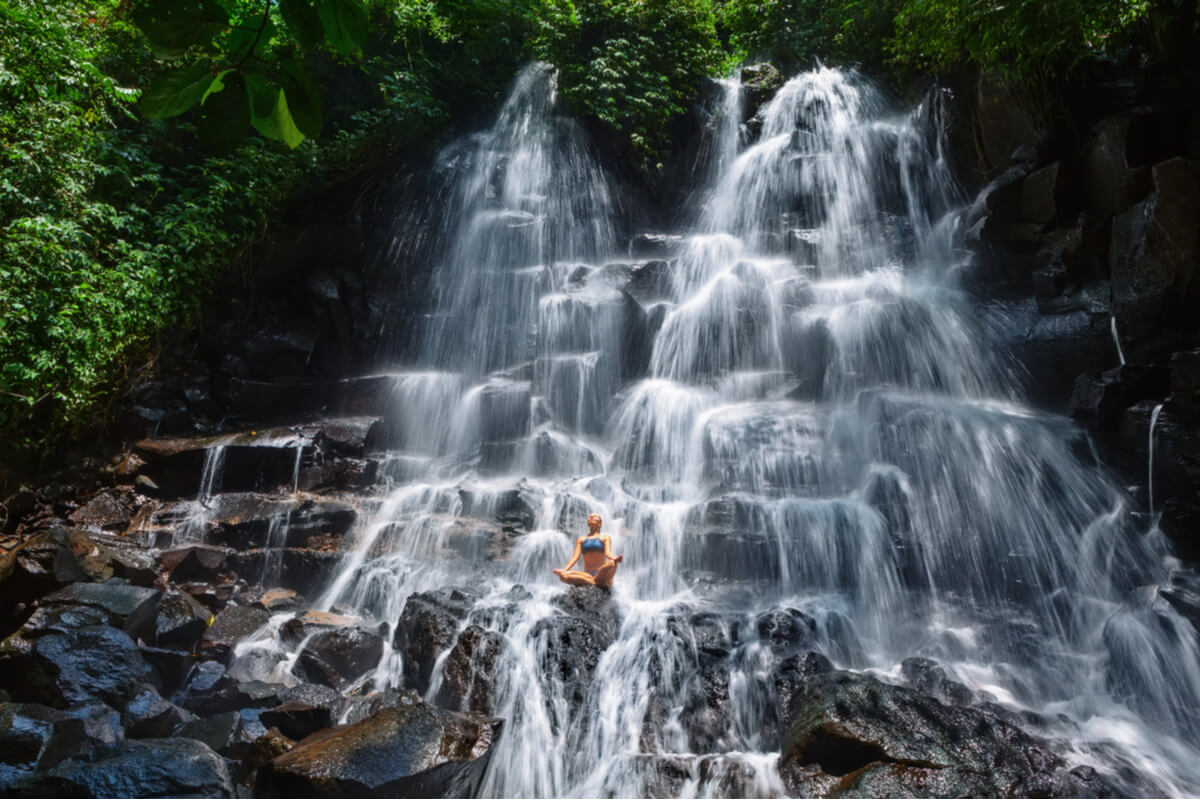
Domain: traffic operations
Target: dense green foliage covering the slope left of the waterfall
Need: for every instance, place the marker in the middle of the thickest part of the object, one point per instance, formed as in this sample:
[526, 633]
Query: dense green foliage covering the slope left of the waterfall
[113, 227]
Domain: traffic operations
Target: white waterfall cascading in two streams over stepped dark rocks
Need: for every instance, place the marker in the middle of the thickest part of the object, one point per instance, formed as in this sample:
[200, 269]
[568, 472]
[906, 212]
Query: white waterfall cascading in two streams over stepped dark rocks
[800, 416]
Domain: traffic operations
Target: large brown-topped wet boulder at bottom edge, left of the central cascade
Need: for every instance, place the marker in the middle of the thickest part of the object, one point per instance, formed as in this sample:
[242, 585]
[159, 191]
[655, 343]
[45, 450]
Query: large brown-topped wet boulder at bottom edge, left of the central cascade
[407, 751]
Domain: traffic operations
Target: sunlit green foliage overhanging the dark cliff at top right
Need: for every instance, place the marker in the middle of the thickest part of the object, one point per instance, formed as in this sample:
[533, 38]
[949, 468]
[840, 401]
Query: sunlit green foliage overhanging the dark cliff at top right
[1022, 40]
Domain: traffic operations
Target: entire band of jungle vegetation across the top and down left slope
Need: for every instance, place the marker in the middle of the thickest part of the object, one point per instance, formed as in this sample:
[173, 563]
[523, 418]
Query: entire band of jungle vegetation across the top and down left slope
[146, 145]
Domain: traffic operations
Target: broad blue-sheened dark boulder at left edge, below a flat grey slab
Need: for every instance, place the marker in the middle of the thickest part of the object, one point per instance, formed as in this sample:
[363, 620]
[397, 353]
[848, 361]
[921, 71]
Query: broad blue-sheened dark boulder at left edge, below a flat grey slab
[64, 669]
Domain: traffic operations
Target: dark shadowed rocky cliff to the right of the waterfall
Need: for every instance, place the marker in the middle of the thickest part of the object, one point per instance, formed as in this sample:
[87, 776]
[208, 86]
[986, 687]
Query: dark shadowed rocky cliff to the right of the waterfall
[1087, 236]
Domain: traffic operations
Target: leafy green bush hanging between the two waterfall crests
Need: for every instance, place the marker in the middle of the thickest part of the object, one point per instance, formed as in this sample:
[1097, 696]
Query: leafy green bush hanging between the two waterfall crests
[632, 64]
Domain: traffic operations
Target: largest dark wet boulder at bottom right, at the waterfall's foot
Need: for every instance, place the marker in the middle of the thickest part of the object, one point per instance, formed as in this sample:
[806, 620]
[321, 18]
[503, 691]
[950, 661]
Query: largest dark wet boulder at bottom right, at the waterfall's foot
[881, 739]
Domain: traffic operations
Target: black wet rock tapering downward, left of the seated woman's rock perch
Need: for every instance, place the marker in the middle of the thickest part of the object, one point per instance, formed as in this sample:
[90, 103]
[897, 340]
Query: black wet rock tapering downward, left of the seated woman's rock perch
[427, 629]
